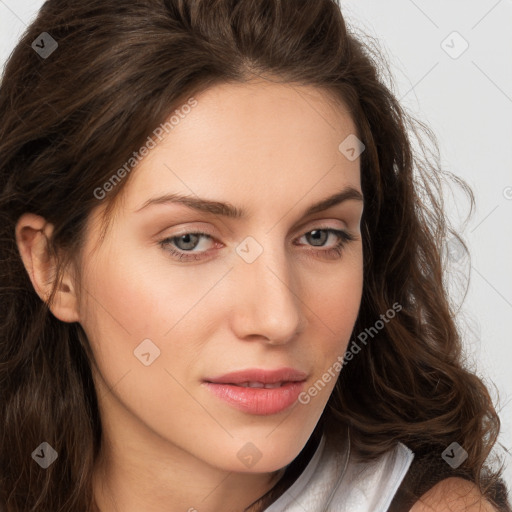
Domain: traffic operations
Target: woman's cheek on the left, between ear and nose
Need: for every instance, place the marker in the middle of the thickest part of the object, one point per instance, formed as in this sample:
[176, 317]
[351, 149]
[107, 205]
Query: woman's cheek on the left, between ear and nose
[137, 303]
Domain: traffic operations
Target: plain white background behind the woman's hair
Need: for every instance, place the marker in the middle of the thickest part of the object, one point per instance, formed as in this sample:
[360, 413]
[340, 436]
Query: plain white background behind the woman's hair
[467, 100]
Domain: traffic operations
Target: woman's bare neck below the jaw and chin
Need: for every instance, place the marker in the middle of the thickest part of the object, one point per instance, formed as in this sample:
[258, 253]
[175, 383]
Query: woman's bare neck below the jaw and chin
[133, 483]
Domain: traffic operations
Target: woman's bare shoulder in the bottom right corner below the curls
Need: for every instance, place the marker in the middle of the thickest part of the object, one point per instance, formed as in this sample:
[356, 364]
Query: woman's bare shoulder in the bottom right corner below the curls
[453, 495]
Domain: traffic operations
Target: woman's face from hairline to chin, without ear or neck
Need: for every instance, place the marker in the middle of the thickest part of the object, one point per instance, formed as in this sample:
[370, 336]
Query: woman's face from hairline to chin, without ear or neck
[179, 296]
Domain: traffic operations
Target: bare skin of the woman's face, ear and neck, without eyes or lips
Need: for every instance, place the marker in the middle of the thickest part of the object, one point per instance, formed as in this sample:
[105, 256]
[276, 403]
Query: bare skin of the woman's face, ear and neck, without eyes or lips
[272, 150]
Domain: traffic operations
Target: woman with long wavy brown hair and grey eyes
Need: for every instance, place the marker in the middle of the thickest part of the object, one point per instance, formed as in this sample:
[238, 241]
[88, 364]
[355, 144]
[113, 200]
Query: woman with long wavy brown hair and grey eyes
[222, 282]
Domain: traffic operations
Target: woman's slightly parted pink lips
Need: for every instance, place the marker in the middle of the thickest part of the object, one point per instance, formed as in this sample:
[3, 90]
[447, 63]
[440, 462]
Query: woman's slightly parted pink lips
[258, 391]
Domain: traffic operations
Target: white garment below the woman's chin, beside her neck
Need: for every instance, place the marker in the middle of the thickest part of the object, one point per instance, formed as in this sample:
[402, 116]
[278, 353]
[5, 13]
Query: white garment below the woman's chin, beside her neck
[324, 486]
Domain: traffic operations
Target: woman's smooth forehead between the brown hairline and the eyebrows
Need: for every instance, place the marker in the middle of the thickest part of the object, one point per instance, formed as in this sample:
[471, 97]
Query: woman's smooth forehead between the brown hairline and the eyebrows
[255, 131]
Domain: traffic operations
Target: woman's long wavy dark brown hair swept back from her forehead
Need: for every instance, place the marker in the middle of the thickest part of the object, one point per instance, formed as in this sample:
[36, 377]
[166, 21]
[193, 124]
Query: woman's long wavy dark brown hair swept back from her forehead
[72, 116]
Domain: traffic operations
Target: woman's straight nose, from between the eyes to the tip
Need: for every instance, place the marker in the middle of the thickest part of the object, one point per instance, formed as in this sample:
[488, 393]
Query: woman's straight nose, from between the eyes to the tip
[268, 301]
